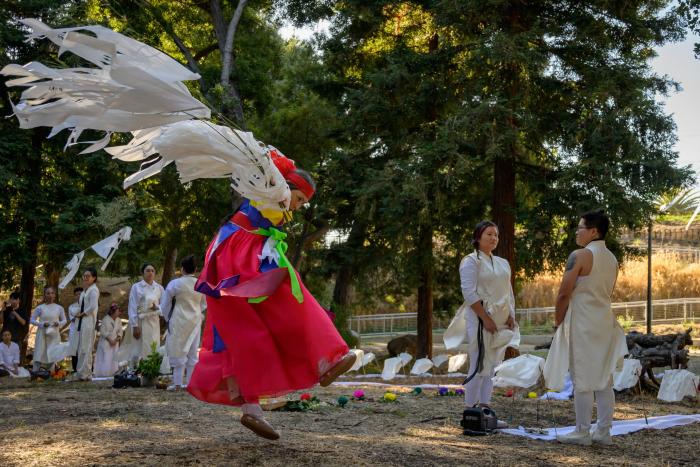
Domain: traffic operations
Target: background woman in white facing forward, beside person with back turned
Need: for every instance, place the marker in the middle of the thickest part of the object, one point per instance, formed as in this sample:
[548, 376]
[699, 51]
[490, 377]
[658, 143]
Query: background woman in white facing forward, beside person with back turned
[143, 329]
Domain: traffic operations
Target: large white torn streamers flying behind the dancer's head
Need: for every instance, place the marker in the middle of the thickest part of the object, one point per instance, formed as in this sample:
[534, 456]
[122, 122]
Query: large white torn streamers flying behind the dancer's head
[136, 88]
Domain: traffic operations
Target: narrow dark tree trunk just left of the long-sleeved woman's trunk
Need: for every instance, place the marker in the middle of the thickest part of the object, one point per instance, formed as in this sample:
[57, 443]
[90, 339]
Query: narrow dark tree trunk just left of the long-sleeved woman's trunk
[425, 293]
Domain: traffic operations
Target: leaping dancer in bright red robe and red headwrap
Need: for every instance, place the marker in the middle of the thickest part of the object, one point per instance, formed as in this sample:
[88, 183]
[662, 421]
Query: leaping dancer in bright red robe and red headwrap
[265, 334]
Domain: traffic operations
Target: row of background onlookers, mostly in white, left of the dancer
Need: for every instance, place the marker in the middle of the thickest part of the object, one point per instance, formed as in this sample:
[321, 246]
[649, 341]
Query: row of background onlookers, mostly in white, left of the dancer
[179, 305]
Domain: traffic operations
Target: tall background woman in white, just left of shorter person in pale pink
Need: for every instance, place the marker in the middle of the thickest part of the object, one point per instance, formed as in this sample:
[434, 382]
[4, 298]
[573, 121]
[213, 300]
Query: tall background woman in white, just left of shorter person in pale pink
[83, 340]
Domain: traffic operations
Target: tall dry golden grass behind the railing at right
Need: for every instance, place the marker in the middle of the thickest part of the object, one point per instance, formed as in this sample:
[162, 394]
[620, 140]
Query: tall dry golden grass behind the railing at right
[672, 277]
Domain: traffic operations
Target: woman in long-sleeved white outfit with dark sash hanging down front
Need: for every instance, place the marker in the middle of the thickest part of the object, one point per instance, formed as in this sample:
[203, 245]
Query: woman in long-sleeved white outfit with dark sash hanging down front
[490, 312]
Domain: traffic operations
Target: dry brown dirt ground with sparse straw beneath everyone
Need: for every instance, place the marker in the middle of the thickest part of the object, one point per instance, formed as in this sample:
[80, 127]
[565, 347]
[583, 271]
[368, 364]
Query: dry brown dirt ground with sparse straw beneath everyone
[56, 423]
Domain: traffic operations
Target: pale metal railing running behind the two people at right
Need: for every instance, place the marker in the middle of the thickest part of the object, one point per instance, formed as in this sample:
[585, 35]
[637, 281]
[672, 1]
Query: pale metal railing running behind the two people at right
[674, 310]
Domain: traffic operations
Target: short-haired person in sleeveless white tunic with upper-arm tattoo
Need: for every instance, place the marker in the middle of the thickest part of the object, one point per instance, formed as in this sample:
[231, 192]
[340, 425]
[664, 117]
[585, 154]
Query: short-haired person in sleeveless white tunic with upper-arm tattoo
[588, 342]
